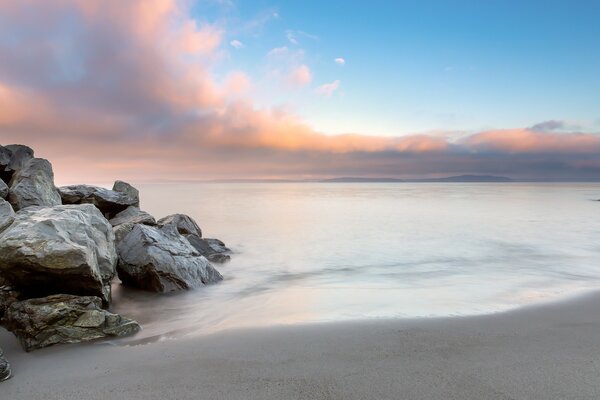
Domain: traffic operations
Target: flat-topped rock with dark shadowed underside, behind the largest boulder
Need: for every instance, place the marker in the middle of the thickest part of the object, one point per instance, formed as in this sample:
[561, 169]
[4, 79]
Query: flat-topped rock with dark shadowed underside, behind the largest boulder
[109, 202]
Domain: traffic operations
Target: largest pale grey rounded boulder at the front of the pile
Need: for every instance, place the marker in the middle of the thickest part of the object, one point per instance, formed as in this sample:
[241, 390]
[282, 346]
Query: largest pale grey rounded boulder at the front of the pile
[61, 249]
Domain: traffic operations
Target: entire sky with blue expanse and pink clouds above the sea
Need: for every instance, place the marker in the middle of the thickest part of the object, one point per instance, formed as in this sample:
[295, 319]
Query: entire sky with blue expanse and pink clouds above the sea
[168, 90]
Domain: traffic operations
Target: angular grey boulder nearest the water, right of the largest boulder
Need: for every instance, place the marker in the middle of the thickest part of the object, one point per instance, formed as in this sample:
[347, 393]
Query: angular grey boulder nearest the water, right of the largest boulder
[161, 260]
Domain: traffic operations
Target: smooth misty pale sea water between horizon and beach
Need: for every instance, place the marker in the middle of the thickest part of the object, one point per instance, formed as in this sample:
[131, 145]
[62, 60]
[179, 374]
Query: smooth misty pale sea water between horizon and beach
[311, 252]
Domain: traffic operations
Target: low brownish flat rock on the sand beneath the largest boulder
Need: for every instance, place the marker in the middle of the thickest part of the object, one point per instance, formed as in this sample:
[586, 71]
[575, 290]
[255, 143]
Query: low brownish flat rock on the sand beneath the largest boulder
[64, 318]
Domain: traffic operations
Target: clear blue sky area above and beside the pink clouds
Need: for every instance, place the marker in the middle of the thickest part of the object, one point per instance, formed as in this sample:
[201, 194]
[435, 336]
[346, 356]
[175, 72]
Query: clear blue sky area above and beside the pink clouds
[418, 66]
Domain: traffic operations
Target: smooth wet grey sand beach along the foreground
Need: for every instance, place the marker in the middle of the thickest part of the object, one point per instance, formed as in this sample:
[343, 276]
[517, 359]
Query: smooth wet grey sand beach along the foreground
[542, 352]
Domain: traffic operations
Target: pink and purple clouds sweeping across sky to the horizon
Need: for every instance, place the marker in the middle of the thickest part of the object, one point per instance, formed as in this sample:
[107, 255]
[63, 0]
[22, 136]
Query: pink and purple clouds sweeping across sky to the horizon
[129, 90]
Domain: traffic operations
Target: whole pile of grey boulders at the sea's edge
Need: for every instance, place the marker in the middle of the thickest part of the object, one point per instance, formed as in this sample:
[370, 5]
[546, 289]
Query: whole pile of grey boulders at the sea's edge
[60, 249]
